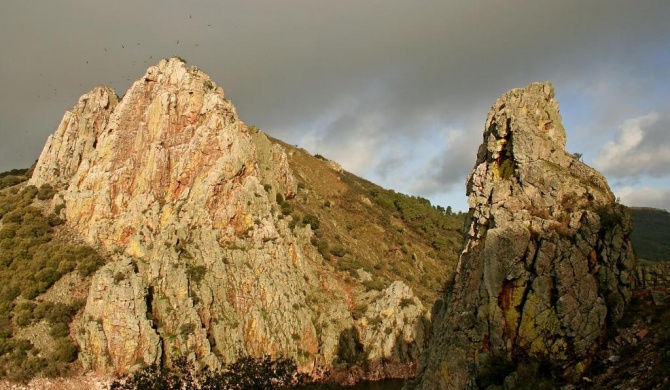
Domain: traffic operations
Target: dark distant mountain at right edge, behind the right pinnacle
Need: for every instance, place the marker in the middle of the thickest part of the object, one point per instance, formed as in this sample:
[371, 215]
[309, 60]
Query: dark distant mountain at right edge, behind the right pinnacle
[651, 233]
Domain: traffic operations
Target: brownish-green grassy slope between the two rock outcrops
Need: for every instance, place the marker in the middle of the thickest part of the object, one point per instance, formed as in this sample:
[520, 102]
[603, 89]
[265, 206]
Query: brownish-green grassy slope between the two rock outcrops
[390, 235]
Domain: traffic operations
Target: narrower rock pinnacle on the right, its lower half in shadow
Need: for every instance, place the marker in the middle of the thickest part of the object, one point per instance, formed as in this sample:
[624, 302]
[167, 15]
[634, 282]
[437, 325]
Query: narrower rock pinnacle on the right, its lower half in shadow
[547, 261]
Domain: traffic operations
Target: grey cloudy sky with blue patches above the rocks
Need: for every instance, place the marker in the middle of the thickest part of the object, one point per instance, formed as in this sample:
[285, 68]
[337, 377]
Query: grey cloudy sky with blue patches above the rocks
[396, 91]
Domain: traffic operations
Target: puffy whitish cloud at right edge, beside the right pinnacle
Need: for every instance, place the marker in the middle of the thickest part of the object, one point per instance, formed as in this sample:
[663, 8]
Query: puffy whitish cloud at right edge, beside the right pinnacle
[640, 148]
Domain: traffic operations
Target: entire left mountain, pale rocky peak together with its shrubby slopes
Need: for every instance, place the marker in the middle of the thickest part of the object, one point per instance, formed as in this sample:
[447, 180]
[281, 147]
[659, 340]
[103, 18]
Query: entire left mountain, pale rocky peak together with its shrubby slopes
[159, 225]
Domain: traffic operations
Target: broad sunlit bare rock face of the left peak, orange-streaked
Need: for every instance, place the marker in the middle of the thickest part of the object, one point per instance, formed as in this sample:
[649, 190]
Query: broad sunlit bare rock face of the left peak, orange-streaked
[182, 195]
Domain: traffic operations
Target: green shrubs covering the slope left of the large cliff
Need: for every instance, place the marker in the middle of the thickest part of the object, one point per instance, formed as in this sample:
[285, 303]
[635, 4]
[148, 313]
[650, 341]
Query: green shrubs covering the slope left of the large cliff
[31, 261]
